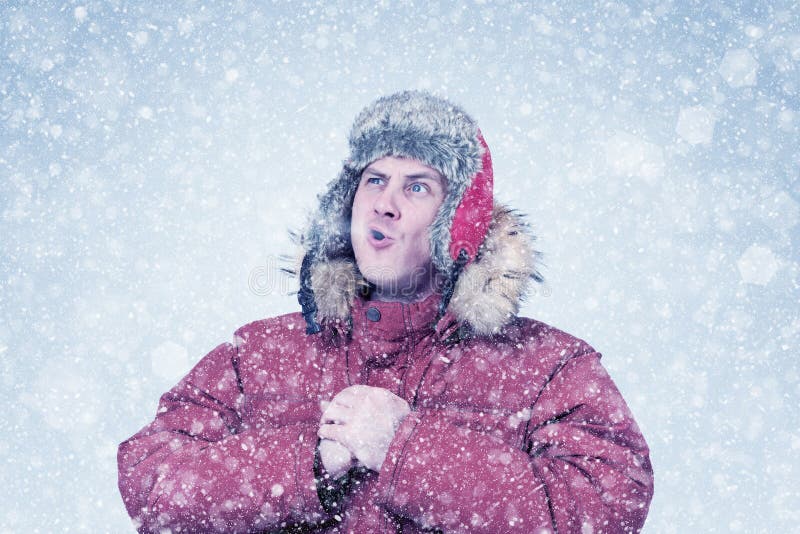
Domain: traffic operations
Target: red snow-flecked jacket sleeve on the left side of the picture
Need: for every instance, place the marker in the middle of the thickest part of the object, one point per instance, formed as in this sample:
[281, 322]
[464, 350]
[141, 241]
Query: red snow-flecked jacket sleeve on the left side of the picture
[198, 466]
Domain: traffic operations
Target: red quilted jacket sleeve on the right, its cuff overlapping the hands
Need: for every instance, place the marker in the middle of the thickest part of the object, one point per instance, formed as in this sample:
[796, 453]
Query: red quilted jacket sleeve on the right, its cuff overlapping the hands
[581, 466]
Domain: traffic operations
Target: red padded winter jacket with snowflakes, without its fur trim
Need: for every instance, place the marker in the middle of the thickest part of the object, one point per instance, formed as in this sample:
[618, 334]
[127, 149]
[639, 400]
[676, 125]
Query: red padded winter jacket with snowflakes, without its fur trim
[521, 431]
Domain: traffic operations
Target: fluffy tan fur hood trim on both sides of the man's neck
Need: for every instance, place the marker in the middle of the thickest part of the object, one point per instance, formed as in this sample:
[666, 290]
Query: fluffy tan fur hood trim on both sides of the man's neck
[487, 295]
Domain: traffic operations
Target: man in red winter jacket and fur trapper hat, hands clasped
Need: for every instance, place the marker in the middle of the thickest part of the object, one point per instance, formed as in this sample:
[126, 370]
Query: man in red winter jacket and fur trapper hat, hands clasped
[407, 396]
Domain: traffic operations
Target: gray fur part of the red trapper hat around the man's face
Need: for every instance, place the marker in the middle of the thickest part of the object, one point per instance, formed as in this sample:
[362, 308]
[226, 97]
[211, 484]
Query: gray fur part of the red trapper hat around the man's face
[411, 124]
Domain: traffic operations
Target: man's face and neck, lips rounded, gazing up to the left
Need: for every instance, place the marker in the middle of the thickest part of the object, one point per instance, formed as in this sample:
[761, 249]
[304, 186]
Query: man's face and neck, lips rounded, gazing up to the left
[395, 203]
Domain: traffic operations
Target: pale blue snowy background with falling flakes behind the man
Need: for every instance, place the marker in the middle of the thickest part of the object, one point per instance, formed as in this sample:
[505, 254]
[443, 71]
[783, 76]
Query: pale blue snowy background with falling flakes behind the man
[153, 154]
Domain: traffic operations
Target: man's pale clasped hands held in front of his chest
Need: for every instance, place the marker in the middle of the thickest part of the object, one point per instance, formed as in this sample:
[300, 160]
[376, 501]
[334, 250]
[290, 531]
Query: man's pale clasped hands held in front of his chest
[358, 425]
